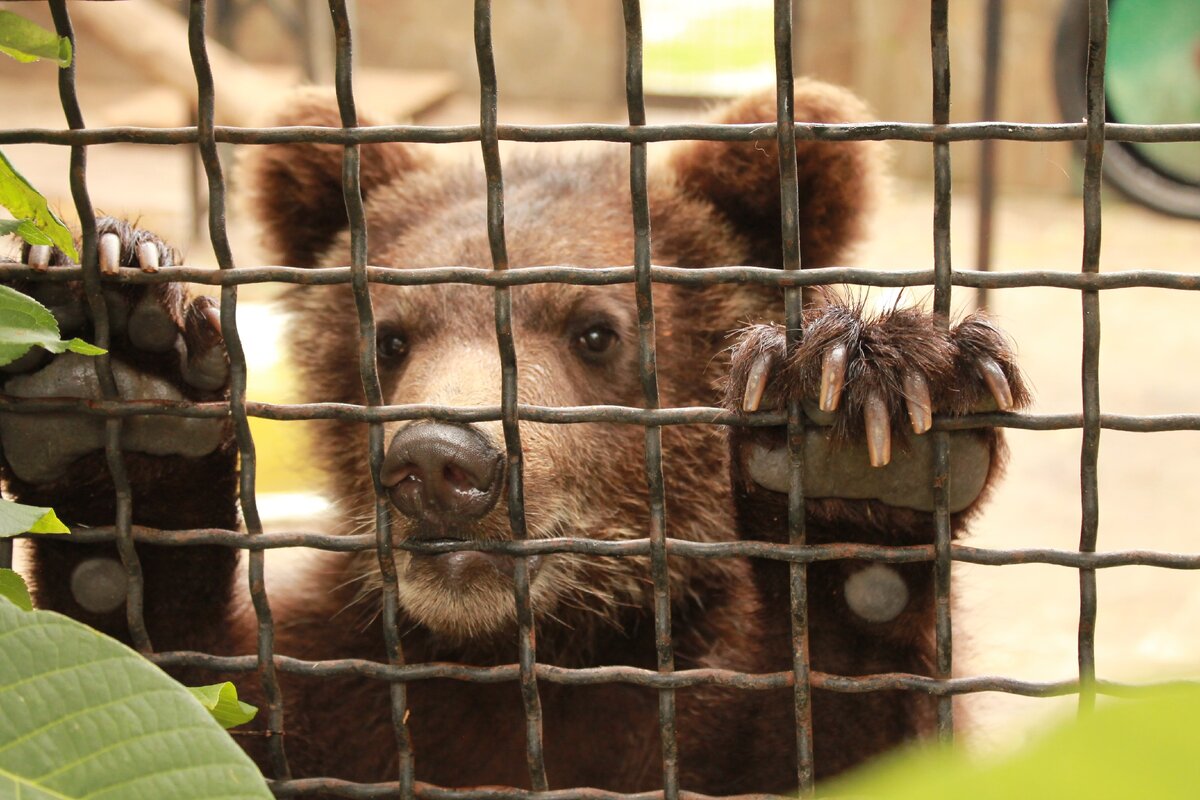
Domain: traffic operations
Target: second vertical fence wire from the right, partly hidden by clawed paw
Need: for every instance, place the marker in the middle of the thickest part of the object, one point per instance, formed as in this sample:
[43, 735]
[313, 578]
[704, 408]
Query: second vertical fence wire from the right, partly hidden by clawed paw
[940, 47]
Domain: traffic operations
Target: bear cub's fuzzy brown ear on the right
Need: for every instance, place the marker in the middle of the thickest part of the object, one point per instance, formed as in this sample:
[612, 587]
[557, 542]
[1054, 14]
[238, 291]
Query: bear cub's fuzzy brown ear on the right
[838, 181]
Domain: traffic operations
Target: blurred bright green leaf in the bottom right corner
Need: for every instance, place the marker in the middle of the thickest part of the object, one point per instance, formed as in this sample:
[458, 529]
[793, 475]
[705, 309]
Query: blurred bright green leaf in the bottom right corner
[1127, 749]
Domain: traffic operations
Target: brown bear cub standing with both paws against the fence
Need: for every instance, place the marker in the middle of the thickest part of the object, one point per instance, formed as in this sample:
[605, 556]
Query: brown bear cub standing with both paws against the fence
[869, 386]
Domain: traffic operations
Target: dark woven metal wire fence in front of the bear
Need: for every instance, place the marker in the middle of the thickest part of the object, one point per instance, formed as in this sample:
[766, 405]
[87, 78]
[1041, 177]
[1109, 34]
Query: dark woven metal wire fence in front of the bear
[657, 545]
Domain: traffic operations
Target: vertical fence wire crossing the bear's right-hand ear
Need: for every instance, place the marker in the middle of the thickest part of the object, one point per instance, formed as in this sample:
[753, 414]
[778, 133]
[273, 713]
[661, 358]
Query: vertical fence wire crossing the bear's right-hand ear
[794, 315]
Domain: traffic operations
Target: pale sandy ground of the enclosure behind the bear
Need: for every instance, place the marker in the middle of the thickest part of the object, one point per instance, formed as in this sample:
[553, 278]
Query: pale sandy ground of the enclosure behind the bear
[1015, 621]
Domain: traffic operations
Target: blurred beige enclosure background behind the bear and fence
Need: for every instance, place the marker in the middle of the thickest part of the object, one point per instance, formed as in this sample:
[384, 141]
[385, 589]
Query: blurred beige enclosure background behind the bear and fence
[562, 62]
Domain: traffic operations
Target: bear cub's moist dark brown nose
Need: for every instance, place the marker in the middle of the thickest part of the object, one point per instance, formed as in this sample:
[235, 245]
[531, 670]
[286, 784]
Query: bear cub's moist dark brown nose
[442, 473]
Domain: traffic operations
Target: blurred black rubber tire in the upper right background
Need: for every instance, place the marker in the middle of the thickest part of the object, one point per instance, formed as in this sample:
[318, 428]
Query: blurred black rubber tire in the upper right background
[1126, 170]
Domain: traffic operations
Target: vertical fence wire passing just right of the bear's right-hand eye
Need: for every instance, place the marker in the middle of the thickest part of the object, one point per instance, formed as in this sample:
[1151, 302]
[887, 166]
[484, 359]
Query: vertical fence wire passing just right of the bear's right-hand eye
[649, 370]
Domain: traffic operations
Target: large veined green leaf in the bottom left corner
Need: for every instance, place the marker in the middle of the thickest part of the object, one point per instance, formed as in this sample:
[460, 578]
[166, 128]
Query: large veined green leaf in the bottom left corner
[85, 717]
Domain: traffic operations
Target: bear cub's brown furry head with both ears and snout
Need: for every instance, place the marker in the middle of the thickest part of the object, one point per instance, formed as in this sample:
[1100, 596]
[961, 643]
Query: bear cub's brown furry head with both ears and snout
[711, 203]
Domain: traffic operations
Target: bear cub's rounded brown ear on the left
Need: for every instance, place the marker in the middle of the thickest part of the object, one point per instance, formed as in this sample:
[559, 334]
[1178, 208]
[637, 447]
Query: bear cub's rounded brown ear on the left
[296, 190]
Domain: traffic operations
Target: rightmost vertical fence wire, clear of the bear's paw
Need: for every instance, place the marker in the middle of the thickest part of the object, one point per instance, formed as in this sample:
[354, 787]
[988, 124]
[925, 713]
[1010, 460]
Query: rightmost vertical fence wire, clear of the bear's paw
[1094, 165]
